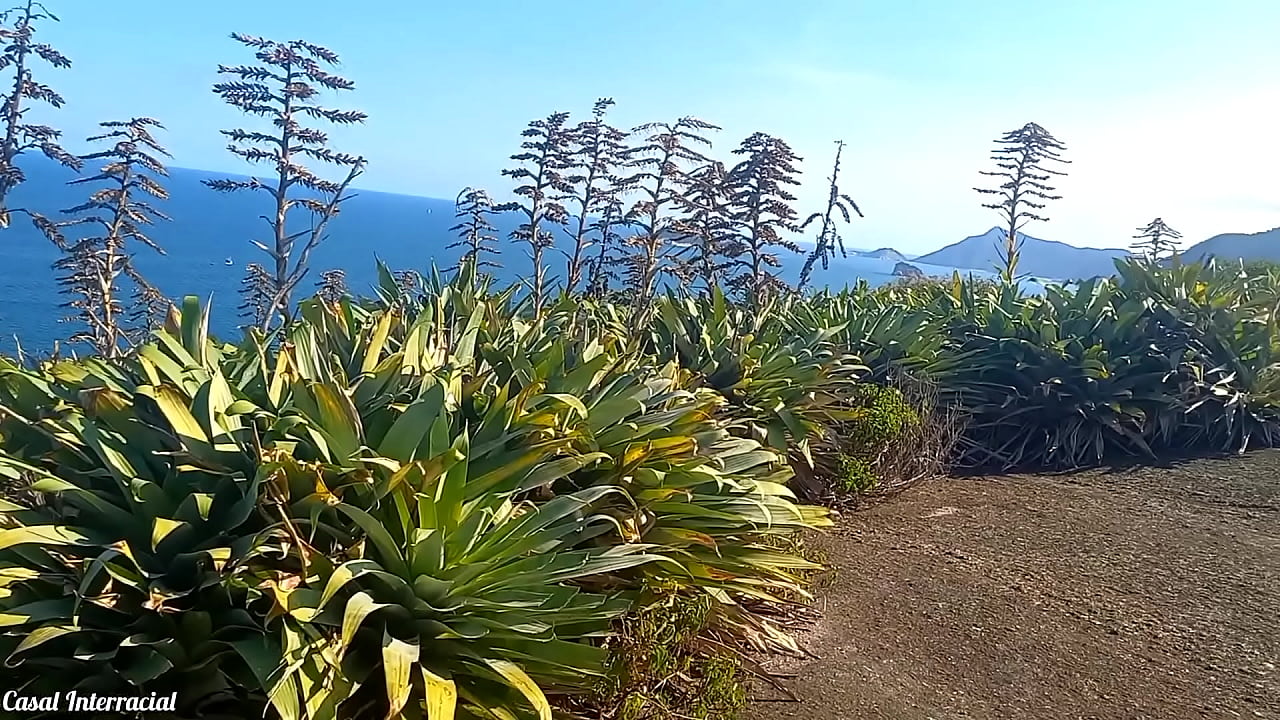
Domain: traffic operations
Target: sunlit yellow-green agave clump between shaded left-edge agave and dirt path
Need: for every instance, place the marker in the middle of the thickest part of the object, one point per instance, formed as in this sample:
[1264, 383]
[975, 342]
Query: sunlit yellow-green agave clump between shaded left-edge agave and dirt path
[491, 482]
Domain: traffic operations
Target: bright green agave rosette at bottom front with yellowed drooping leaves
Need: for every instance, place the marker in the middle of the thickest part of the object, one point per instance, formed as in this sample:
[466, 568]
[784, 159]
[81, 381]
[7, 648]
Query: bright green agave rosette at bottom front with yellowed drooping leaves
[476, 604]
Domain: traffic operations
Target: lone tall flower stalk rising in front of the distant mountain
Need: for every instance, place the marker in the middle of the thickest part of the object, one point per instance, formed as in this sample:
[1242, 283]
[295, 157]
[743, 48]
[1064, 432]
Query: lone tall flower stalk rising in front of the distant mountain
[1020, 160]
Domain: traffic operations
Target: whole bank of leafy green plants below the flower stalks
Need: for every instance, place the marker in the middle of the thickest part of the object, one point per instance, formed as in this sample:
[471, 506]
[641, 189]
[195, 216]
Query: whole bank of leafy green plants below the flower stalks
[436, 499]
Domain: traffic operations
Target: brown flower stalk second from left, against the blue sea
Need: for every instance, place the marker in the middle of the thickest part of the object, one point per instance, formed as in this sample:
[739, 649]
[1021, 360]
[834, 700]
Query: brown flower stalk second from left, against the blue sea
[93, 267]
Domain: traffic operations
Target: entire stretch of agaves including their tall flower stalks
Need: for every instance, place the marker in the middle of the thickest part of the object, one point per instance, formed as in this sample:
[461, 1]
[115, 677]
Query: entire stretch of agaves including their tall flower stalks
[452, 500]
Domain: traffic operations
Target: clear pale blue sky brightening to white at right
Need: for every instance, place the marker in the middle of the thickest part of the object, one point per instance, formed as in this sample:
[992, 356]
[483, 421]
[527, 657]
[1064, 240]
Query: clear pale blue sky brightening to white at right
[1168, 108]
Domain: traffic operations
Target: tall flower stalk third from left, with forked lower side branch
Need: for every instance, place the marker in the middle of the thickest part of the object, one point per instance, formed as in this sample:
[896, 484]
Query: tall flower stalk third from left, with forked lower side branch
[284, 89]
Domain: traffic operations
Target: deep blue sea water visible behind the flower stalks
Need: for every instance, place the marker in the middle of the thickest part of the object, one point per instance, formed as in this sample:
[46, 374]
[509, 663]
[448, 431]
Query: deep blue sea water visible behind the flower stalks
[208, 229]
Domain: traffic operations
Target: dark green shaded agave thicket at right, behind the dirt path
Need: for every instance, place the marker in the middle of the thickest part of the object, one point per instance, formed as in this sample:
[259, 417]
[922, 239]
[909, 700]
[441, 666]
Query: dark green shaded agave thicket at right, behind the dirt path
[1154, 361]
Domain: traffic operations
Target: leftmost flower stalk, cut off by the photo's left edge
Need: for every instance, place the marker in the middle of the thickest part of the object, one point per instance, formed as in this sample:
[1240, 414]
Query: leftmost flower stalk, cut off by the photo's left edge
[20, 53]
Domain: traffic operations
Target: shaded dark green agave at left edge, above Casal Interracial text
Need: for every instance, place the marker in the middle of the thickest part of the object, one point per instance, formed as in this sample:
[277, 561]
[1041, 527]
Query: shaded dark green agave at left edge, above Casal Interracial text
[125, 577]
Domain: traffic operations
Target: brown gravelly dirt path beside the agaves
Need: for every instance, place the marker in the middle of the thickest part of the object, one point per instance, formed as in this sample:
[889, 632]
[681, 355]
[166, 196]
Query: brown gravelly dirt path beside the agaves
[1148, 594]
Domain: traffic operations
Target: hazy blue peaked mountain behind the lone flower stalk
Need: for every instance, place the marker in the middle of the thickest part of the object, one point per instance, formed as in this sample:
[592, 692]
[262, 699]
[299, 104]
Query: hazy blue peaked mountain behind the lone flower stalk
[1040, 258]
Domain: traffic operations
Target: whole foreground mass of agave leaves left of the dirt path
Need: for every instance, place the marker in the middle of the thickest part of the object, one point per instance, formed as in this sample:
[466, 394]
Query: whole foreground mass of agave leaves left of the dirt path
[395, 505]
